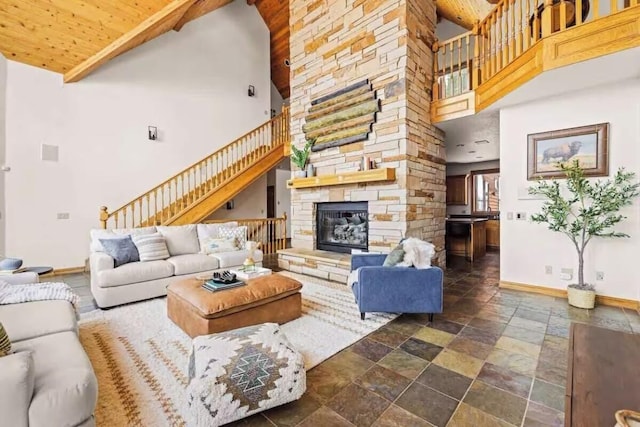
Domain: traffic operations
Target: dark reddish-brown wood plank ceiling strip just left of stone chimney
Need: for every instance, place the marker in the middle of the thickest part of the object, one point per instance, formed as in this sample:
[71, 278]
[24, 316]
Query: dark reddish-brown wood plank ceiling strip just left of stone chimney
[276, 15]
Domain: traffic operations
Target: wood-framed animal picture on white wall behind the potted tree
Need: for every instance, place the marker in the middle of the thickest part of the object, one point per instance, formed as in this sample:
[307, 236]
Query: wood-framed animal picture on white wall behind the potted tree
[547, 151]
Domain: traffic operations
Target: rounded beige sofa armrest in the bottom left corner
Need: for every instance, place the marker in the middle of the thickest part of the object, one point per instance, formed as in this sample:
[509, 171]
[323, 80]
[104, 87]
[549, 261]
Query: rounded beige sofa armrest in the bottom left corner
[16, 388]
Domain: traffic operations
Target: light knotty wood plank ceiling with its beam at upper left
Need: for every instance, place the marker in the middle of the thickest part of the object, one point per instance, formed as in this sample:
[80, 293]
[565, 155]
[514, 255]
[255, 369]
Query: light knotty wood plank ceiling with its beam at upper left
[74, 37]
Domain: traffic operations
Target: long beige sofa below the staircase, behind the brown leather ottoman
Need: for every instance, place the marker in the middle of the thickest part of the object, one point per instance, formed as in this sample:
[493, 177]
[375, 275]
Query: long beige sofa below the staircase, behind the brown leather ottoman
[138, 281]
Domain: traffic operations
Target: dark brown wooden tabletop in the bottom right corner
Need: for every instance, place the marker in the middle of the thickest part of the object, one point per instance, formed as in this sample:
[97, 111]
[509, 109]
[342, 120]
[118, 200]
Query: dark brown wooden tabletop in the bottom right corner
[602, 376]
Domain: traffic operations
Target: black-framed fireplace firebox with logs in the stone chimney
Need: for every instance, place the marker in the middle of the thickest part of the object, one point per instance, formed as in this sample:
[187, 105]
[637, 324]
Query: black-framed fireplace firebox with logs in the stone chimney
[343, 226]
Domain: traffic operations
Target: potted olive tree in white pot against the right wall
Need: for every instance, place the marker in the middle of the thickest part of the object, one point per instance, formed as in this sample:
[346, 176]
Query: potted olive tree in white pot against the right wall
[588, 209]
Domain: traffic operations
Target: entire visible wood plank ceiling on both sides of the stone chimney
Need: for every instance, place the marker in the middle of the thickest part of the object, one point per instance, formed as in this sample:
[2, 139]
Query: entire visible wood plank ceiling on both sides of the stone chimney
[74, 37]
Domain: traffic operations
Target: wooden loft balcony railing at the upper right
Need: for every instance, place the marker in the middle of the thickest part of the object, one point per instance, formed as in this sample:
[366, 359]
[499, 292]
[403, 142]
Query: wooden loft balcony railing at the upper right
[464, 62]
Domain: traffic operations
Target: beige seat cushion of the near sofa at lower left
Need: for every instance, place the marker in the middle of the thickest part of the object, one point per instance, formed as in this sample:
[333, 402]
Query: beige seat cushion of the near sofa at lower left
[66, 388]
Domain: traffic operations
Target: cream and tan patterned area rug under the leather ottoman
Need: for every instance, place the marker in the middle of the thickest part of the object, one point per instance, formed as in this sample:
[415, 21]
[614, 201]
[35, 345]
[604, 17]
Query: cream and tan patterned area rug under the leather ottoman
[140, 356]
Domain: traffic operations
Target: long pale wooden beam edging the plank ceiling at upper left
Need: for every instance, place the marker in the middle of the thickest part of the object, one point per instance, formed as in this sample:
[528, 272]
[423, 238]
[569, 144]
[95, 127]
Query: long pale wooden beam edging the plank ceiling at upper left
[158, 23]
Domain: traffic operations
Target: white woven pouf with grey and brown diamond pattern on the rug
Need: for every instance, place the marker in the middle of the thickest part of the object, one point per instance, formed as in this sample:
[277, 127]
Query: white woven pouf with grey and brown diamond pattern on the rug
[238, 373]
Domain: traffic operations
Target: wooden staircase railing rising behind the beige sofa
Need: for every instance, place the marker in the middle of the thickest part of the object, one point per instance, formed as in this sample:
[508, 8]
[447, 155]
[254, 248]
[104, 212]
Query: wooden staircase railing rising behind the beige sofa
[168, 199]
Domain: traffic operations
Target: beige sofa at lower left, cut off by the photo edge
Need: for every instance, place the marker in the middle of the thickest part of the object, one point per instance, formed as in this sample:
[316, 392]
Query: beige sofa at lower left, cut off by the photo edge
[48, 380]
